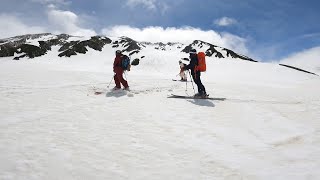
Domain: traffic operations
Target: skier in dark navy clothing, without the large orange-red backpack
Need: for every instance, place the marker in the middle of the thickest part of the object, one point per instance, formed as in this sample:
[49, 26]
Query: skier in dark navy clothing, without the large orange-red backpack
[195, 73]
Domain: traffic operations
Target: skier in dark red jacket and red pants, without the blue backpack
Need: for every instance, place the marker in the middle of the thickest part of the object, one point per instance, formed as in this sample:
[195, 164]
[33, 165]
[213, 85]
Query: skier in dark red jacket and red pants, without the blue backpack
[117, 69]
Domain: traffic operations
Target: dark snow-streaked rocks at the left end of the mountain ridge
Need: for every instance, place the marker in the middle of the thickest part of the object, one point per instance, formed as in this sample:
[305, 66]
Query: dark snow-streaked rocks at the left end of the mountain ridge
[18, 45]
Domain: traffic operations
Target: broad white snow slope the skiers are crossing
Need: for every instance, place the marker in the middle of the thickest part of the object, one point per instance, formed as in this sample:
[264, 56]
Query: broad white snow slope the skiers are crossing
[52, 126]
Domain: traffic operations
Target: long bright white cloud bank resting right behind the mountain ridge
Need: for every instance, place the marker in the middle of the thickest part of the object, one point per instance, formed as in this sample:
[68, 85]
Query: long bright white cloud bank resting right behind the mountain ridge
[183, 35]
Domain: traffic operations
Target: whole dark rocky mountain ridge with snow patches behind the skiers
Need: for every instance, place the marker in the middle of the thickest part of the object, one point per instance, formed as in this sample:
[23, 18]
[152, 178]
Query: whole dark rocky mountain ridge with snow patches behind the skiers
[36, 45]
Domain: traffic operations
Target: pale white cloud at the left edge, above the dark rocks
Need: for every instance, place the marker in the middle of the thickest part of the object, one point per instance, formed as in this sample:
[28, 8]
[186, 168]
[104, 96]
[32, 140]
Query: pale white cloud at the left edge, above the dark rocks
[12, 26]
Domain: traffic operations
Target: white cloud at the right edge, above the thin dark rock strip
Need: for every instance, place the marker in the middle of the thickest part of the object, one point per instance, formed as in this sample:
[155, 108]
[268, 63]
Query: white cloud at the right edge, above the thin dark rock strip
[308, 60]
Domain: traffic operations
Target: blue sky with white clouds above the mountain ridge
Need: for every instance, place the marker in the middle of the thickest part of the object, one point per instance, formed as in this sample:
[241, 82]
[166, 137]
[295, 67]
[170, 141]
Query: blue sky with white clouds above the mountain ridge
[264, 30]
